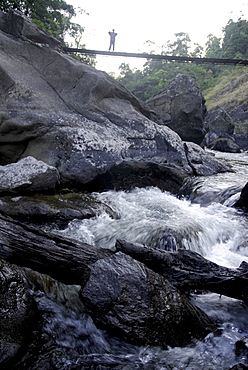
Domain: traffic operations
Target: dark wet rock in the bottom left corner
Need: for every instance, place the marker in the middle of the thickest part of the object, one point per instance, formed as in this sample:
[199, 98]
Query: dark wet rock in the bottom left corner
[17, 313]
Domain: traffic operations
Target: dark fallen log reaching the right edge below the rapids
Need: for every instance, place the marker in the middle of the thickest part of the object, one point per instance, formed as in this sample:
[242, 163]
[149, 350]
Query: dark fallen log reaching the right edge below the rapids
[188, 270]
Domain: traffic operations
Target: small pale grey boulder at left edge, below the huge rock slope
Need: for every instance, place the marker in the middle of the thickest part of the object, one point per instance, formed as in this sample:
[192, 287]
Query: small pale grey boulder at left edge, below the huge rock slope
[28, 175]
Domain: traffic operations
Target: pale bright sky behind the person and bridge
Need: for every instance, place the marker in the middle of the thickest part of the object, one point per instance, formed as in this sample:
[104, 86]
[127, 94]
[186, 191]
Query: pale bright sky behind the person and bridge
[139, 21]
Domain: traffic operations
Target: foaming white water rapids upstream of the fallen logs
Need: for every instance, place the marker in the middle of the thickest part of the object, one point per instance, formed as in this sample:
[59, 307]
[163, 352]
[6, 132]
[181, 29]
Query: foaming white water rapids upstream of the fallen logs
[149, 216]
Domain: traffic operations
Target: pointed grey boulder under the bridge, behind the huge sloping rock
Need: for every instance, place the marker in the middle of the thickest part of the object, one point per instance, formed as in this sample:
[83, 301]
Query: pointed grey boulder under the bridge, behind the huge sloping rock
[182, 108]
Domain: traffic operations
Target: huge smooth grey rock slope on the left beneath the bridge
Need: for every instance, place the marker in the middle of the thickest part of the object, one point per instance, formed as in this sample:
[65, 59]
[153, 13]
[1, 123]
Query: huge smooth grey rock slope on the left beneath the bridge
[73, 117]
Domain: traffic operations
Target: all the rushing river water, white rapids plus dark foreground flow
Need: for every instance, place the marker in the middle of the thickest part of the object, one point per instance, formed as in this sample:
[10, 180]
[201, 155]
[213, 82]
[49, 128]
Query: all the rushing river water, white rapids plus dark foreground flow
[207, 224]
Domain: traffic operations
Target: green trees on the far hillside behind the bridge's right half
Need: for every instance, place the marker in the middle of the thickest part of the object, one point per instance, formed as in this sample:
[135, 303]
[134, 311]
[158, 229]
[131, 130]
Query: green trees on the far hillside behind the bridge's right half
[157, 74]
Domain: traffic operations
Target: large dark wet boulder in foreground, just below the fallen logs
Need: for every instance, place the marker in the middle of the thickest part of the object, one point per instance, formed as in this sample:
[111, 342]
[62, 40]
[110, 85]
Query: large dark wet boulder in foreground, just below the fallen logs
[127, 299]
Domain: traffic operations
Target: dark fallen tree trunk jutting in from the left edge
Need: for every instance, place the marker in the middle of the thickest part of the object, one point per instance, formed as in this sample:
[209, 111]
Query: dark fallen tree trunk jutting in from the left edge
[63, 259]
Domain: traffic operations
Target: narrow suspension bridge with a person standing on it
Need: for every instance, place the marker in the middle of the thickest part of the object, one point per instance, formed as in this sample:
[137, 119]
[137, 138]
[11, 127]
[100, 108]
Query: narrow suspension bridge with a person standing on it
[171, 58]
